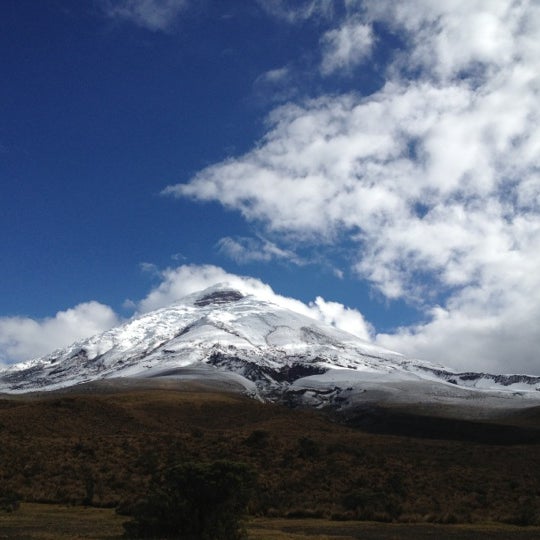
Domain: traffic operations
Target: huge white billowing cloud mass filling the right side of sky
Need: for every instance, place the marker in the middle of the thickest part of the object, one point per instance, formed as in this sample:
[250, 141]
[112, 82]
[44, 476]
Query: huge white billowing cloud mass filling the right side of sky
[433, 180]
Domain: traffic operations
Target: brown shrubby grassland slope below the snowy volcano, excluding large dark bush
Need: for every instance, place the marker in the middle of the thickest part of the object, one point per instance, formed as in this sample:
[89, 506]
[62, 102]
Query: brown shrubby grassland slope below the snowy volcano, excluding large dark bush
[86, 453]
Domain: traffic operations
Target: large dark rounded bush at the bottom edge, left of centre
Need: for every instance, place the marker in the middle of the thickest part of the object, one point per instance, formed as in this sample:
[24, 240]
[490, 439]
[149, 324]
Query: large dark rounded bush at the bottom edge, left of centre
[194, 501]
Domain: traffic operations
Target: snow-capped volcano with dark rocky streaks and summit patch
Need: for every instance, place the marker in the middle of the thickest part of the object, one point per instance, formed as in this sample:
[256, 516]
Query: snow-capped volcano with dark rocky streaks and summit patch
[271, 351]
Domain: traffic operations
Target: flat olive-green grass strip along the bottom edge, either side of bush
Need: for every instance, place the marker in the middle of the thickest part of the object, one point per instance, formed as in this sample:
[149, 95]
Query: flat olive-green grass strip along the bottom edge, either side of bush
[55, 522]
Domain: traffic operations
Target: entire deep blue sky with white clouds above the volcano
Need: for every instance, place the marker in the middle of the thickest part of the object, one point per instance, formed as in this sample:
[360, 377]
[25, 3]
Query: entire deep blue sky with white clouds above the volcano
[382, 157]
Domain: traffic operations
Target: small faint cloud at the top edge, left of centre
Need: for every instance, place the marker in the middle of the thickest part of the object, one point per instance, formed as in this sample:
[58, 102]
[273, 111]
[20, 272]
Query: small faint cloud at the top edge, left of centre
[155, 15]
